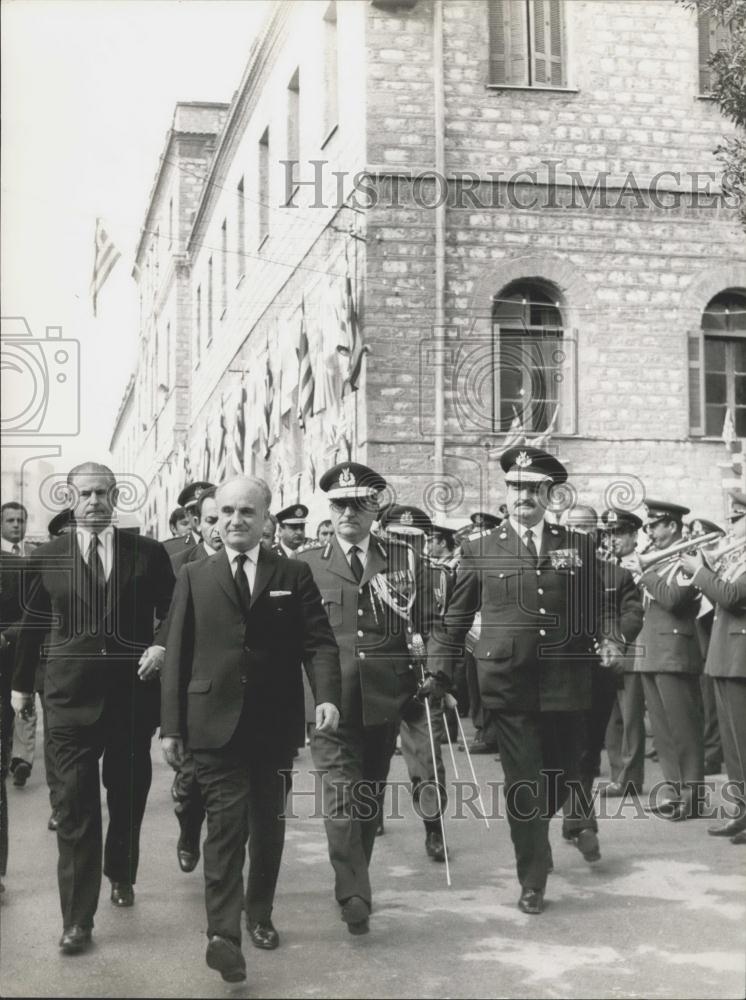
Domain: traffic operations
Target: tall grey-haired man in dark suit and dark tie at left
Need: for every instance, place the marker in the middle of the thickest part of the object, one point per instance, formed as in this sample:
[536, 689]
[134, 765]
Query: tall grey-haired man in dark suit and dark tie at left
[97, 591]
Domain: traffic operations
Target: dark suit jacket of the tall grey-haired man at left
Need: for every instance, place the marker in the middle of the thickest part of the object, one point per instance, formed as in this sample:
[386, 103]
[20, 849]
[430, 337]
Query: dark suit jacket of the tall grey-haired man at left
[90, 663]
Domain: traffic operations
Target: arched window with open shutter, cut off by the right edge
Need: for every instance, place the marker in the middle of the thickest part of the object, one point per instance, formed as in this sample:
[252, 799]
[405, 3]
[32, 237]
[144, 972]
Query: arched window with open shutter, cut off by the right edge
[722, 390]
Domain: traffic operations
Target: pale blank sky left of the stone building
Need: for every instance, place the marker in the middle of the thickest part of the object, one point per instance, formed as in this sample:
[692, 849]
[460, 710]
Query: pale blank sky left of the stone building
[88, 93]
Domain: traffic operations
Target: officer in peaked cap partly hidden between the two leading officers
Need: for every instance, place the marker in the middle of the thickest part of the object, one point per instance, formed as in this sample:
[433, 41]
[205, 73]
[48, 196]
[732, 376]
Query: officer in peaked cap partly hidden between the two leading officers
[413, 524]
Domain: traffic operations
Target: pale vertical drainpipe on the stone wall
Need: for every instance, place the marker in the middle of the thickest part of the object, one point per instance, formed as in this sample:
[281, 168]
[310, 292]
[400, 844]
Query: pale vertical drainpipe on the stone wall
[440, 237]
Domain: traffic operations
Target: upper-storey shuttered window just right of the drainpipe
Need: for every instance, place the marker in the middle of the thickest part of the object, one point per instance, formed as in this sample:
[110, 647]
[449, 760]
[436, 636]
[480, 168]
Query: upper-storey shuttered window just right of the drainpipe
[526, 43]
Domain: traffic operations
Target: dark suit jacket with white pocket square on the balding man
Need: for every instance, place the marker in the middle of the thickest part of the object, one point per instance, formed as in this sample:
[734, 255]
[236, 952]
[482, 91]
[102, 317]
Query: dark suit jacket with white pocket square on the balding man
[220, 659]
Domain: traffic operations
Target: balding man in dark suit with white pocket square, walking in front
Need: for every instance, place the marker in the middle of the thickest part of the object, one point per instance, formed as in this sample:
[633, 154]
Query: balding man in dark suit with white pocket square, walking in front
[241, 624]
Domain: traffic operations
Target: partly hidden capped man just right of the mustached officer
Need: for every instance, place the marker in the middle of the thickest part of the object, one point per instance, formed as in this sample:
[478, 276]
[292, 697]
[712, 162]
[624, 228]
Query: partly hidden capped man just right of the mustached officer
[625, 733]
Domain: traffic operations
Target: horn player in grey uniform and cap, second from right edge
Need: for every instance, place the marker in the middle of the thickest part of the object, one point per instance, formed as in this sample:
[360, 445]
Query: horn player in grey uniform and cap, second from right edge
[671, 664]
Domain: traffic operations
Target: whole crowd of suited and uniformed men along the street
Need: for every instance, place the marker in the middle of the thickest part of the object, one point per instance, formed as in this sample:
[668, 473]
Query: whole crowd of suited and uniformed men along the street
[242, 640]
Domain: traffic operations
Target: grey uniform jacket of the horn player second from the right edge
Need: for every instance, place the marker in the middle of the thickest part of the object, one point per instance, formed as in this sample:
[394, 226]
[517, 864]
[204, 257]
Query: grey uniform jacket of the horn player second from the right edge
[668, 640]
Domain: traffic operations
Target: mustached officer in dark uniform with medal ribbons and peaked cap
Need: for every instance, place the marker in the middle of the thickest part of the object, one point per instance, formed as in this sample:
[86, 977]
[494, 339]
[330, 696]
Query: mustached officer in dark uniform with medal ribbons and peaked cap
[538, 590]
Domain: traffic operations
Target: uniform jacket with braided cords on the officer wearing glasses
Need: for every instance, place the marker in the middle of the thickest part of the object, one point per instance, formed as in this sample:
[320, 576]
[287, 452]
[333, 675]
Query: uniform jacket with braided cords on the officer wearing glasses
[375, 643]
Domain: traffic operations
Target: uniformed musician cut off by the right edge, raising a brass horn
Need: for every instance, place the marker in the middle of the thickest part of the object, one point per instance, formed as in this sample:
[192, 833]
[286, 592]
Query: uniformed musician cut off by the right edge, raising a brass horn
[724, 584]
